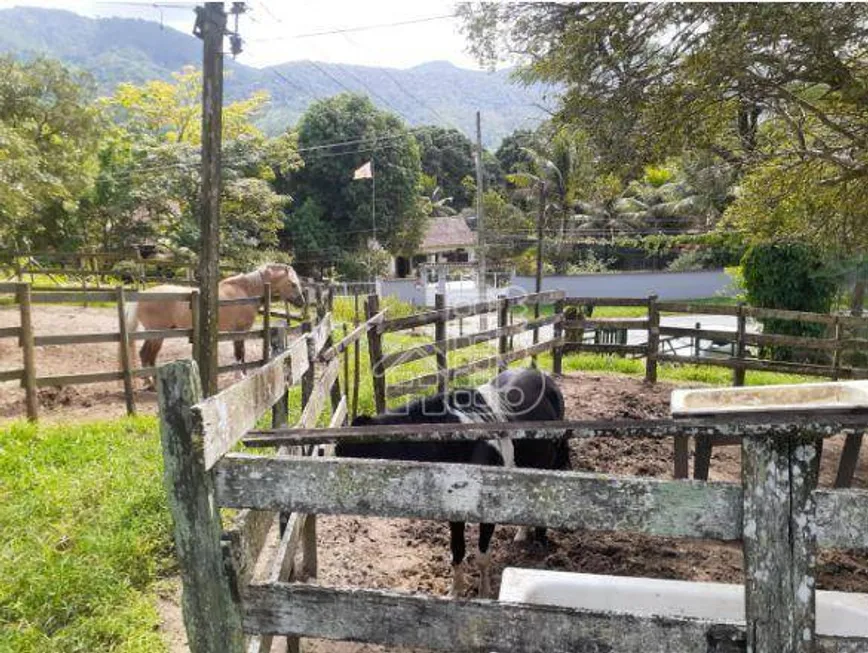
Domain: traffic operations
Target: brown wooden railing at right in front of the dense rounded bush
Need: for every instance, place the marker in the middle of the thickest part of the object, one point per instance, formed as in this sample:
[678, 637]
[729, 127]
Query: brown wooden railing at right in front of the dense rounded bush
[665, 344]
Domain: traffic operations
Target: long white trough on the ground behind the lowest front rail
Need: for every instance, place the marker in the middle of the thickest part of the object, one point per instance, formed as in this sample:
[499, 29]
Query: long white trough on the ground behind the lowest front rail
[841, 614]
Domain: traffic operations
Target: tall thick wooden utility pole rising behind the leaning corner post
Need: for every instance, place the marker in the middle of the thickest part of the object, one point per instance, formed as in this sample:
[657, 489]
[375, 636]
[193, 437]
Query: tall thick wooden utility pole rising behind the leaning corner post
[210, 27]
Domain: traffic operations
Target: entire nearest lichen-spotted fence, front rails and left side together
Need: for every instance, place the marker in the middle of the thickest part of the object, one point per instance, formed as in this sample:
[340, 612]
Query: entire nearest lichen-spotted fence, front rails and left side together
[778, 513]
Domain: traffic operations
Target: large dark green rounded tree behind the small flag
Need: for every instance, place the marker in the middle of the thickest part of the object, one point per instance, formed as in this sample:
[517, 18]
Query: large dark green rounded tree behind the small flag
[369, 134]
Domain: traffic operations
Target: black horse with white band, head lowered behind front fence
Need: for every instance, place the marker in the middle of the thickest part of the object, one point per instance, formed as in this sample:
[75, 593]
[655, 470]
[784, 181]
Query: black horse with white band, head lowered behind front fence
[513, 396]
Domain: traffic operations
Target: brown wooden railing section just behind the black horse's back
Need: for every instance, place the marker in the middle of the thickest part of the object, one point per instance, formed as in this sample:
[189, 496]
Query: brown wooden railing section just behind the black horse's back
[442, 318]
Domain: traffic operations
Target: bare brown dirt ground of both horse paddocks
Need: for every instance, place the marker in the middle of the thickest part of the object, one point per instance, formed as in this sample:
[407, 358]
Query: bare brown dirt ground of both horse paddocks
[413, 555]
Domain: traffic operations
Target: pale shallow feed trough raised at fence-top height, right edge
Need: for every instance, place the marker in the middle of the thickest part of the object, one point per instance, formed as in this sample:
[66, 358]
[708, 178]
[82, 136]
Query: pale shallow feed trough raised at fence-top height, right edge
[825, 397]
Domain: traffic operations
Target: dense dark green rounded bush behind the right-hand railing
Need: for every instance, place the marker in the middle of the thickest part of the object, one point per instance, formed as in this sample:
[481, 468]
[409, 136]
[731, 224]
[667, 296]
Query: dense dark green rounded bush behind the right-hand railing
[792, 276]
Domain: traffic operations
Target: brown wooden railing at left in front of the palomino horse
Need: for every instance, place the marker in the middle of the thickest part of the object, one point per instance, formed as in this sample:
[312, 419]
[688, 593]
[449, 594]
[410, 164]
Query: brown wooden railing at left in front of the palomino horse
[27, 298]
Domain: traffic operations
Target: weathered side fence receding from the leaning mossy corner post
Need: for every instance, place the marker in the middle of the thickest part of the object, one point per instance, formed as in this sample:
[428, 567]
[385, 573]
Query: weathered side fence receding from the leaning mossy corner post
[197, 433]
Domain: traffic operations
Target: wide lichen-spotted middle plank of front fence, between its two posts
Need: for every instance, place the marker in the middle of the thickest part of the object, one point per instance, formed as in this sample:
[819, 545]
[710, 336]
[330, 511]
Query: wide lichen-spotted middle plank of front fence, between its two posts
[480, 494]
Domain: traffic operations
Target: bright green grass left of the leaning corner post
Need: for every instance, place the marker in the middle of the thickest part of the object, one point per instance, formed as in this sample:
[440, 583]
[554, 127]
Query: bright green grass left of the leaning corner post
[85, 537]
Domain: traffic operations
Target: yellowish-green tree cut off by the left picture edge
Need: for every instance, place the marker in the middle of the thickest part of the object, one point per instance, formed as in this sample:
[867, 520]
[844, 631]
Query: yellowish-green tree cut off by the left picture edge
[48, 134]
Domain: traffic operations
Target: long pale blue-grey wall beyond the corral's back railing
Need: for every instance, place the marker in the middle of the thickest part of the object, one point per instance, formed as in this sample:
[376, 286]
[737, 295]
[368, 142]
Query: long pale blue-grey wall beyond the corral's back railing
[666, 285]
